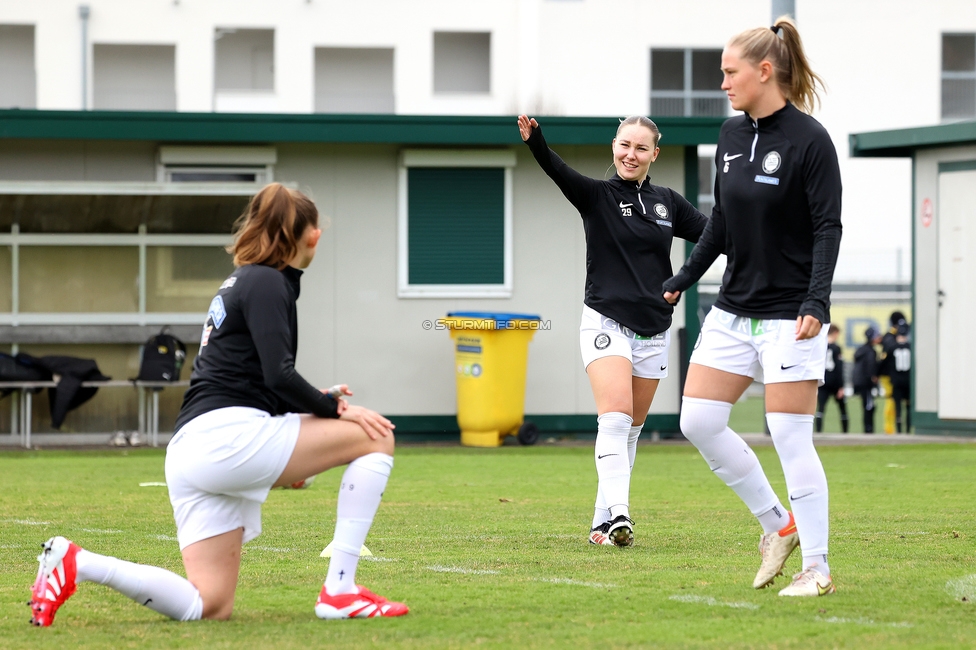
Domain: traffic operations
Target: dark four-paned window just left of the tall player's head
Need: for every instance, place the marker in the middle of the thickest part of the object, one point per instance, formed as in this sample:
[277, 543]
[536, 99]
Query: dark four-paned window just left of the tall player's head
[687, 83]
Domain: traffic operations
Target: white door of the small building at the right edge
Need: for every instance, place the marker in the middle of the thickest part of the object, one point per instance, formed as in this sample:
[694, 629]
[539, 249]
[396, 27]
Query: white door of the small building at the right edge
[957, 294]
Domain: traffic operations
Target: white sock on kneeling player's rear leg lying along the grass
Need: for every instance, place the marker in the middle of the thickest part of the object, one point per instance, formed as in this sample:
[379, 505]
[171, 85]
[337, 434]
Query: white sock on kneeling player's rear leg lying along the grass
[158, 589]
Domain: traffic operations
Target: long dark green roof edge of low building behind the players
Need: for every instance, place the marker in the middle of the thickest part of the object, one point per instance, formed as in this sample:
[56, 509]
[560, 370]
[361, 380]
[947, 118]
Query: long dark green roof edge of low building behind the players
[267, 128]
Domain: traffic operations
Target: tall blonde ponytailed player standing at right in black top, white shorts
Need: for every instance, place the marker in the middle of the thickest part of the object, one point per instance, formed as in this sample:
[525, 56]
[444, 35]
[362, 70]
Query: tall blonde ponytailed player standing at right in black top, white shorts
[777, 219]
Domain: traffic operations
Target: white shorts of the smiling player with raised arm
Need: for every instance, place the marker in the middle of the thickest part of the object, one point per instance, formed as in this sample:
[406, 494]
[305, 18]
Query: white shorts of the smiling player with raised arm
[604, 337]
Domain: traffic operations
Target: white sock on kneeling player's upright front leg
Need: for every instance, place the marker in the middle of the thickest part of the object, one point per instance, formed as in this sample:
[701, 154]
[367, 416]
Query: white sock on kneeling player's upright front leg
[359, 498]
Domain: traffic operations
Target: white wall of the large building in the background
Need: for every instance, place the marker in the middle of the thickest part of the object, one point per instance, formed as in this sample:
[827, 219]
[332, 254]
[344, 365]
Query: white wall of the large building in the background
[584, 57]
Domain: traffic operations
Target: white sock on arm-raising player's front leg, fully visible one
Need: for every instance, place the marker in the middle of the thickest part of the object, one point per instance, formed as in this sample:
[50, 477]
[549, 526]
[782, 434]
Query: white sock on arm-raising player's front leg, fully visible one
[613, 461]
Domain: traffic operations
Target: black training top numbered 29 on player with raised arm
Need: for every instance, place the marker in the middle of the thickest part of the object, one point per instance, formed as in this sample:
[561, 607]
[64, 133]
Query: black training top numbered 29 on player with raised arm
[629, 227]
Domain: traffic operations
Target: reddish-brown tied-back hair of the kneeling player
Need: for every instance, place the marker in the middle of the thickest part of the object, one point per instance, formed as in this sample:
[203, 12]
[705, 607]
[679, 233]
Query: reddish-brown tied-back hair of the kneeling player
[271, 226]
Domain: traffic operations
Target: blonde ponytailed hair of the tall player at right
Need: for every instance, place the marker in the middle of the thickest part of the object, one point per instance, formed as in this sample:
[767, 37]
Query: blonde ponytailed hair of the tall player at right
[792, 72]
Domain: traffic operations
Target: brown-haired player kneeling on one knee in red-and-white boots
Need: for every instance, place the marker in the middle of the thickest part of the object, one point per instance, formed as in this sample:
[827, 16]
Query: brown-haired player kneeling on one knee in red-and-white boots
[240, 434]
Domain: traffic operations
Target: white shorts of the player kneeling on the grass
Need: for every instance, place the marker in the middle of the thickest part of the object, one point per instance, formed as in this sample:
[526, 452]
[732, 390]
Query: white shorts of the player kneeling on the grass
[220, 467]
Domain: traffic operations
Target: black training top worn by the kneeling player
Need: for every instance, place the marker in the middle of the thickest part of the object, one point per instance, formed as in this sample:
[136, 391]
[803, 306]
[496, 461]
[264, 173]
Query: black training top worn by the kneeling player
[247, 352]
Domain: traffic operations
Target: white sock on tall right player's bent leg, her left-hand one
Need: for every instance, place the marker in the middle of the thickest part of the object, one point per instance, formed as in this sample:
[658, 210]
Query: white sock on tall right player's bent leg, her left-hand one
[705, 423]
